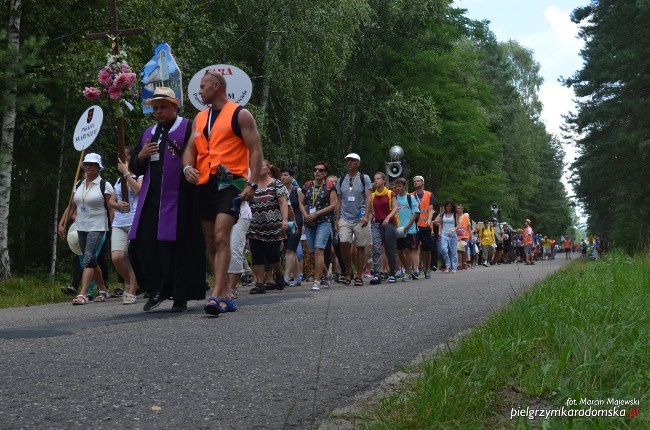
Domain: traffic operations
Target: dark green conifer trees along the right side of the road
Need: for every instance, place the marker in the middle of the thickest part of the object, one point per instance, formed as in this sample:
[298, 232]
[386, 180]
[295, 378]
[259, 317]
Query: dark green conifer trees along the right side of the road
[612, 124]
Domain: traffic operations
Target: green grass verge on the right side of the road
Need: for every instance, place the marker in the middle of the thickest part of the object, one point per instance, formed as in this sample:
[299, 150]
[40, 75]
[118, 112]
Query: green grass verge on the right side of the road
[583, 333]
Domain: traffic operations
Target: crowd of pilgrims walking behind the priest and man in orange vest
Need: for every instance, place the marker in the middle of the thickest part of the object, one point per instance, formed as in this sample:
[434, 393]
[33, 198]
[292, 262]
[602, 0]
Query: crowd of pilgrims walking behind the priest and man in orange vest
[289, 235]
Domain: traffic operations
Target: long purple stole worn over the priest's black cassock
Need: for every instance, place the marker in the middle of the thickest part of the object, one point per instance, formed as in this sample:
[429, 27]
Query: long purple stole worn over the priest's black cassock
[171, 182]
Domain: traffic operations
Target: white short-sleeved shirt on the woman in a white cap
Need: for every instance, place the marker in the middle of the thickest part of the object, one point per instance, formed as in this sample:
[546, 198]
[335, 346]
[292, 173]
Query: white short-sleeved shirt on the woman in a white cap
[91, 212]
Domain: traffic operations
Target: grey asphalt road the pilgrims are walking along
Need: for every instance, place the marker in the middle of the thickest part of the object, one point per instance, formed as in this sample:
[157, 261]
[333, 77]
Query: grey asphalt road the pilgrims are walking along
[284, 360]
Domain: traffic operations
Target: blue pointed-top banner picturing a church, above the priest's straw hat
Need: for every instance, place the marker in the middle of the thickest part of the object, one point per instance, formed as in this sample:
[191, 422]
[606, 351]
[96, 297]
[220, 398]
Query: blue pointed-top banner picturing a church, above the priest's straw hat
[161, 71]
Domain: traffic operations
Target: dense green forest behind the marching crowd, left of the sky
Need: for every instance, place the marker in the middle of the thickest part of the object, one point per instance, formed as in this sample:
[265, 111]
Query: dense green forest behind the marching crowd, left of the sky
[329, 77]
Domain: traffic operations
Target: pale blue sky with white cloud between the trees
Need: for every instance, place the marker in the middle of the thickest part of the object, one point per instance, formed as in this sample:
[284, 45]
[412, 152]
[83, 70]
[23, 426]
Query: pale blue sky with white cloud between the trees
[544, 27]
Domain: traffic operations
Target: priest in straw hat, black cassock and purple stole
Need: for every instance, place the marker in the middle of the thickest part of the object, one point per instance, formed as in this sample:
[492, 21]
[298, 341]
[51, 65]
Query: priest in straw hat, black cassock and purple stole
[167, 249]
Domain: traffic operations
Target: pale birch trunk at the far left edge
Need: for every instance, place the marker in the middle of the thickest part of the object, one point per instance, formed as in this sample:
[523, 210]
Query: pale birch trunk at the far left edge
[7, 144]
